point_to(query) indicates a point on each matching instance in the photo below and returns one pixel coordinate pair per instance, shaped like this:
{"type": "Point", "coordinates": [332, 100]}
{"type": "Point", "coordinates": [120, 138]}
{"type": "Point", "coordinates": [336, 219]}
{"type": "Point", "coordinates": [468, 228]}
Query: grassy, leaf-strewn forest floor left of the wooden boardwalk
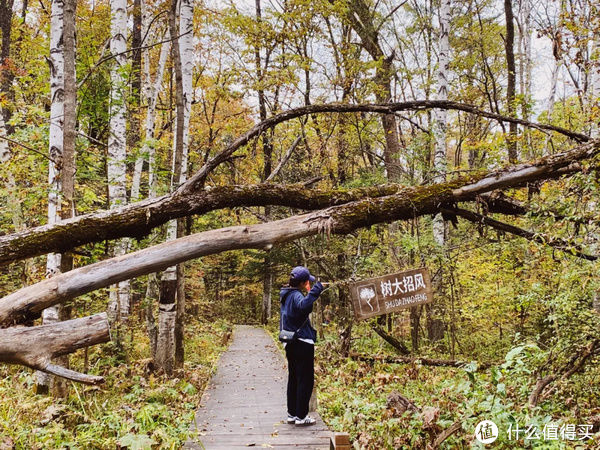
{"type": "Point", "coordinates": [133, 409]}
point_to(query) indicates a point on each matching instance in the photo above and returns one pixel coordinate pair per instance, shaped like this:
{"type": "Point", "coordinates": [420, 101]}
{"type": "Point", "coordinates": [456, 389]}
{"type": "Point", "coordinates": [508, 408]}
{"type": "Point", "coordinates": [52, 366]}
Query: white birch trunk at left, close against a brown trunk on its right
{"type": "Point", "coordinates": [57, 111]}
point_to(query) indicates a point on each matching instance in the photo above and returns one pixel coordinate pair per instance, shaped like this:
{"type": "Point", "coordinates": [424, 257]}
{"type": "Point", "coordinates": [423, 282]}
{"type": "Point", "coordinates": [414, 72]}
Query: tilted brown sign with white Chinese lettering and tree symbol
{"type": "Point", "coordinates": [390, 293]}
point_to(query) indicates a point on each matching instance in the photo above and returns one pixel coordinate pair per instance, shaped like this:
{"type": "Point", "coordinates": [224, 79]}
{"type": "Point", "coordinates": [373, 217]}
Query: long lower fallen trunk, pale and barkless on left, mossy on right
{"type": "Point", "coordinates": [407, 203]}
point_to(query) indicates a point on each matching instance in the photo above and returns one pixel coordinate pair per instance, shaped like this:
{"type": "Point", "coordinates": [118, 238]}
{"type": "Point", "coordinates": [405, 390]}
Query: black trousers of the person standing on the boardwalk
{"type": "Point", "coordinates": [301, 377]}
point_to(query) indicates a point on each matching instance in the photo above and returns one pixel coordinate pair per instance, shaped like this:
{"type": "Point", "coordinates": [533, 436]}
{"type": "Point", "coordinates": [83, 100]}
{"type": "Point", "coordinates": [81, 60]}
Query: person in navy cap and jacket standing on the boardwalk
{"type": "Point", "coordinates": [300, 353]}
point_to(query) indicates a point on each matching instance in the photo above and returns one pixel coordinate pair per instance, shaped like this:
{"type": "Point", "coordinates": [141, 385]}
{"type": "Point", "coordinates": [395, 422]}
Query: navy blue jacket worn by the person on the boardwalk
{"type": "Point", "coordinates": [295, 309]}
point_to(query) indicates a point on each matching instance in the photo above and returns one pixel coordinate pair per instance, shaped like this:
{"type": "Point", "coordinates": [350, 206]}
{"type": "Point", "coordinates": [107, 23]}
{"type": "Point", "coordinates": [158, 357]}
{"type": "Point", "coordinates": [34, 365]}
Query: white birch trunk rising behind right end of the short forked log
{"type": "Point", "coordinates": [119, 295]}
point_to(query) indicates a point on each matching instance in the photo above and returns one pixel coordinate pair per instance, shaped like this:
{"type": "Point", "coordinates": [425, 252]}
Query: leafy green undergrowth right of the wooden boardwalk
{"type": "Point", "coordinates": [358, 398]}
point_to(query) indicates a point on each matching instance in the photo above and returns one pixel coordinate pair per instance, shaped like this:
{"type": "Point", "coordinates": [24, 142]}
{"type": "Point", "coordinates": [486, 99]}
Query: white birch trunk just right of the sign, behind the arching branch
{"type": "Point", "coordinates": [439, 128]}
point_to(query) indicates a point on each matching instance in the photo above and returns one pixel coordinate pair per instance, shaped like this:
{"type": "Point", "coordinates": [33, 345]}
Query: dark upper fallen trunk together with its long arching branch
{"type": "Point", "coordinates": [138, 219]}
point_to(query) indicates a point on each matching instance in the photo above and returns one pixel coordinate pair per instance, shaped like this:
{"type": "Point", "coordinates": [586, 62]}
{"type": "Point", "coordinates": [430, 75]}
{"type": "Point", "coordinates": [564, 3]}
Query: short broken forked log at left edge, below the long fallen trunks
{"type": "Point", "coordinates": [36, 346]}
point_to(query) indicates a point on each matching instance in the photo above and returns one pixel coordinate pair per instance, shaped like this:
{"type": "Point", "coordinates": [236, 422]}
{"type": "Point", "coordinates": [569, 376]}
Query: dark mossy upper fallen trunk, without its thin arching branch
{"type": "Point", "coordinates": [138, 219]}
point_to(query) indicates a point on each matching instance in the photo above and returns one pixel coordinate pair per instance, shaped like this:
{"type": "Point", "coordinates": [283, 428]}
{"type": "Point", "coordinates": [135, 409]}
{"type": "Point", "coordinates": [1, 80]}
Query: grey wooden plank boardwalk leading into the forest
{"type": "Point", "coordinates": [244, 405]}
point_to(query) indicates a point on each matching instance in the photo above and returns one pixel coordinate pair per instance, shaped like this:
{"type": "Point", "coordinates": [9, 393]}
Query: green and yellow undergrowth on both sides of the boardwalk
{"type": "Point", "coordinates": [136, 409]}
